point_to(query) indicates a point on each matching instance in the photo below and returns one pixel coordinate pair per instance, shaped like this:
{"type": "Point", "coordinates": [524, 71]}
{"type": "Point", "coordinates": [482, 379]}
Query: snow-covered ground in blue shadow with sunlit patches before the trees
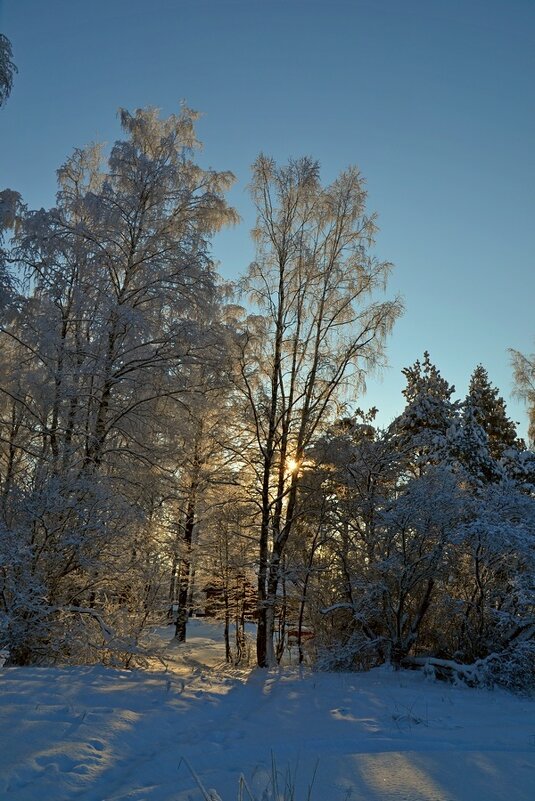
{"type": "Point", "coordinates": [96, 734]}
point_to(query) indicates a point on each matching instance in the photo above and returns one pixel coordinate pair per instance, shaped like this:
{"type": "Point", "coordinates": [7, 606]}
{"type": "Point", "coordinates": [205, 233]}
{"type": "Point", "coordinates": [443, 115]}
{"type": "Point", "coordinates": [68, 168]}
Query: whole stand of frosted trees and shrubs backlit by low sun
{"type": "Point", "coordinates": [167, 436]}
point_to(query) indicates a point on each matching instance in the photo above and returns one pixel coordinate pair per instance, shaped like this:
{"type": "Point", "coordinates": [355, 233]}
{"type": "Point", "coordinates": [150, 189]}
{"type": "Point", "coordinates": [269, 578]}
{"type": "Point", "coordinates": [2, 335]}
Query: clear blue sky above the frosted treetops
{"type": "Point", "coordinates": [432, 99]}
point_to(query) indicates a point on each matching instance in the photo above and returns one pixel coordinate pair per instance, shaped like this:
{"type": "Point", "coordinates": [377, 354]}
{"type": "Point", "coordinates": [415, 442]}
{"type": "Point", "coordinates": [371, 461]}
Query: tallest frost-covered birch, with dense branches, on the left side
{"type": "Point", "coordinates": [107, 334]}
